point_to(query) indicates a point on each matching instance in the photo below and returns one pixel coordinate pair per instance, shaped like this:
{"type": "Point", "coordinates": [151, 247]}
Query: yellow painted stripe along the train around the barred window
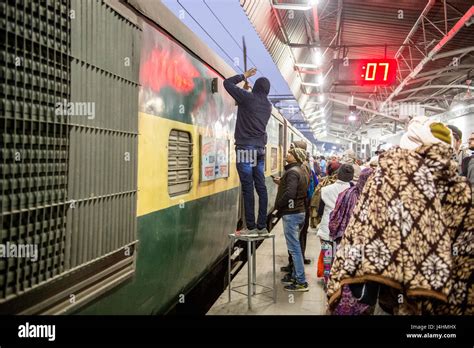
{"type": "Point", "coordinates": [153, 138]}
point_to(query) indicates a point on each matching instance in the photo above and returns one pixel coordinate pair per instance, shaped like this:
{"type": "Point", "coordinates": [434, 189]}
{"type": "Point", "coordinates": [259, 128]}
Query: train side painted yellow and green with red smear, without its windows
{"type": "Point", "coordinates": [180, 236]}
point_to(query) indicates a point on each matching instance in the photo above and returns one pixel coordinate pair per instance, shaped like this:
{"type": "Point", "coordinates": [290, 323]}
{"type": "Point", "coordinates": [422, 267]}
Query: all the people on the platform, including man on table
{"type": "Point", "coordinates": [396, 232]}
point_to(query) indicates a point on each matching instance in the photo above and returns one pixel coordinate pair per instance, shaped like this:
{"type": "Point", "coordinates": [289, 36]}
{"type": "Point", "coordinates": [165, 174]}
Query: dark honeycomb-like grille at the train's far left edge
{"type": "Point", "coordinates": [33, 143]}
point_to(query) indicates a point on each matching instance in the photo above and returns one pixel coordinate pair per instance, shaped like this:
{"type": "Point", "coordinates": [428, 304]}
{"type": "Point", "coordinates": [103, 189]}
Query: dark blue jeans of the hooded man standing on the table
{"type": "Point", "coordinates": [251, 166]}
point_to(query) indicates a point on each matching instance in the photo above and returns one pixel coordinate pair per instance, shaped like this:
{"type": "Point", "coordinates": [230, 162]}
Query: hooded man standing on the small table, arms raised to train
{"type": "Point", "coordinates": [253, 113]}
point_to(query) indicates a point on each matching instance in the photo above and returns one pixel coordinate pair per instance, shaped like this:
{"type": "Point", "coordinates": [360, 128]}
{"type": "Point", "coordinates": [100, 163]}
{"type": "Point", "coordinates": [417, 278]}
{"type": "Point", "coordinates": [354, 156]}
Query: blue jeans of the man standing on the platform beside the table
{"type": "Point", "coordinates": [292, 224]}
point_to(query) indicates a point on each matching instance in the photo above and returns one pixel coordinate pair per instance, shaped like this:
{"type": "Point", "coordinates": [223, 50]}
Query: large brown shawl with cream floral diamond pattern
{"type": "Point", "coordinates": [412, 230]}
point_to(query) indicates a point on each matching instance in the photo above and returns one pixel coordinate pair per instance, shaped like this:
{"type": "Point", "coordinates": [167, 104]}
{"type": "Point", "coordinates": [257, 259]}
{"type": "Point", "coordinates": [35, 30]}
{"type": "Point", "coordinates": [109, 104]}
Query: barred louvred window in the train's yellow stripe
{"type": "Point", "coordinates": [180, 162]}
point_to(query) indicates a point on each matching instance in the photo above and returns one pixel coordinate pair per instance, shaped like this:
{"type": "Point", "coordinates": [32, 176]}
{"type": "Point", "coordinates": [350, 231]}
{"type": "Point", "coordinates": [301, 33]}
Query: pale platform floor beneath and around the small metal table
{"type": "Point", "coordinates": [312, 302]}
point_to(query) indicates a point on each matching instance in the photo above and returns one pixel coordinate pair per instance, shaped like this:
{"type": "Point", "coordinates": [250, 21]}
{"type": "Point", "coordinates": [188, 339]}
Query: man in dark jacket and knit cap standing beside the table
{"type": "Point", "coordinates": [291, 205]}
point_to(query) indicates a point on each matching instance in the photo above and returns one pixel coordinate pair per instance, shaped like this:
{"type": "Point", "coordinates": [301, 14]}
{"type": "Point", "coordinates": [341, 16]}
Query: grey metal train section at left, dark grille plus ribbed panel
{"type": "Point", "coordinates": [40, 150]}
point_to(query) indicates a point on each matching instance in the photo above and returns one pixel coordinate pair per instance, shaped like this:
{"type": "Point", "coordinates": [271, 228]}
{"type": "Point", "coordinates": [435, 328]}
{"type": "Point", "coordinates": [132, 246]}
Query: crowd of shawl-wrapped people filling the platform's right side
{"type": "Point", "coordinates": [399, 238]}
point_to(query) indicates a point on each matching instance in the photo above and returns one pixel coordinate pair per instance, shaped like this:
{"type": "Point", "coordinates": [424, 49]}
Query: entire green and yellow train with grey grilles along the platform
{"type": "Point", "coordinates": [151, 190]}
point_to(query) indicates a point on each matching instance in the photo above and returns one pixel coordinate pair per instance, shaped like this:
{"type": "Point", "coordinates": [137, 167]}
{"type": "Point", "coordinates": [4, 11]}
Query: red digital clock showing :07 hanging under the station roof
{"type": "Point", "coordinates": [365, 72]}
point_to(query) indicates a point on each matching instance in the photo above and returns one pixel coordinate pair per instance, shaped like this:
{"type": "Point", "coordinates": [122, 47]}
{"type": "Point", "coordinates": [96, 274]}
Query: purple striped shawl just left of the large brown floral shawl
{"type": "Point", "coordinates": [345, 203]}
